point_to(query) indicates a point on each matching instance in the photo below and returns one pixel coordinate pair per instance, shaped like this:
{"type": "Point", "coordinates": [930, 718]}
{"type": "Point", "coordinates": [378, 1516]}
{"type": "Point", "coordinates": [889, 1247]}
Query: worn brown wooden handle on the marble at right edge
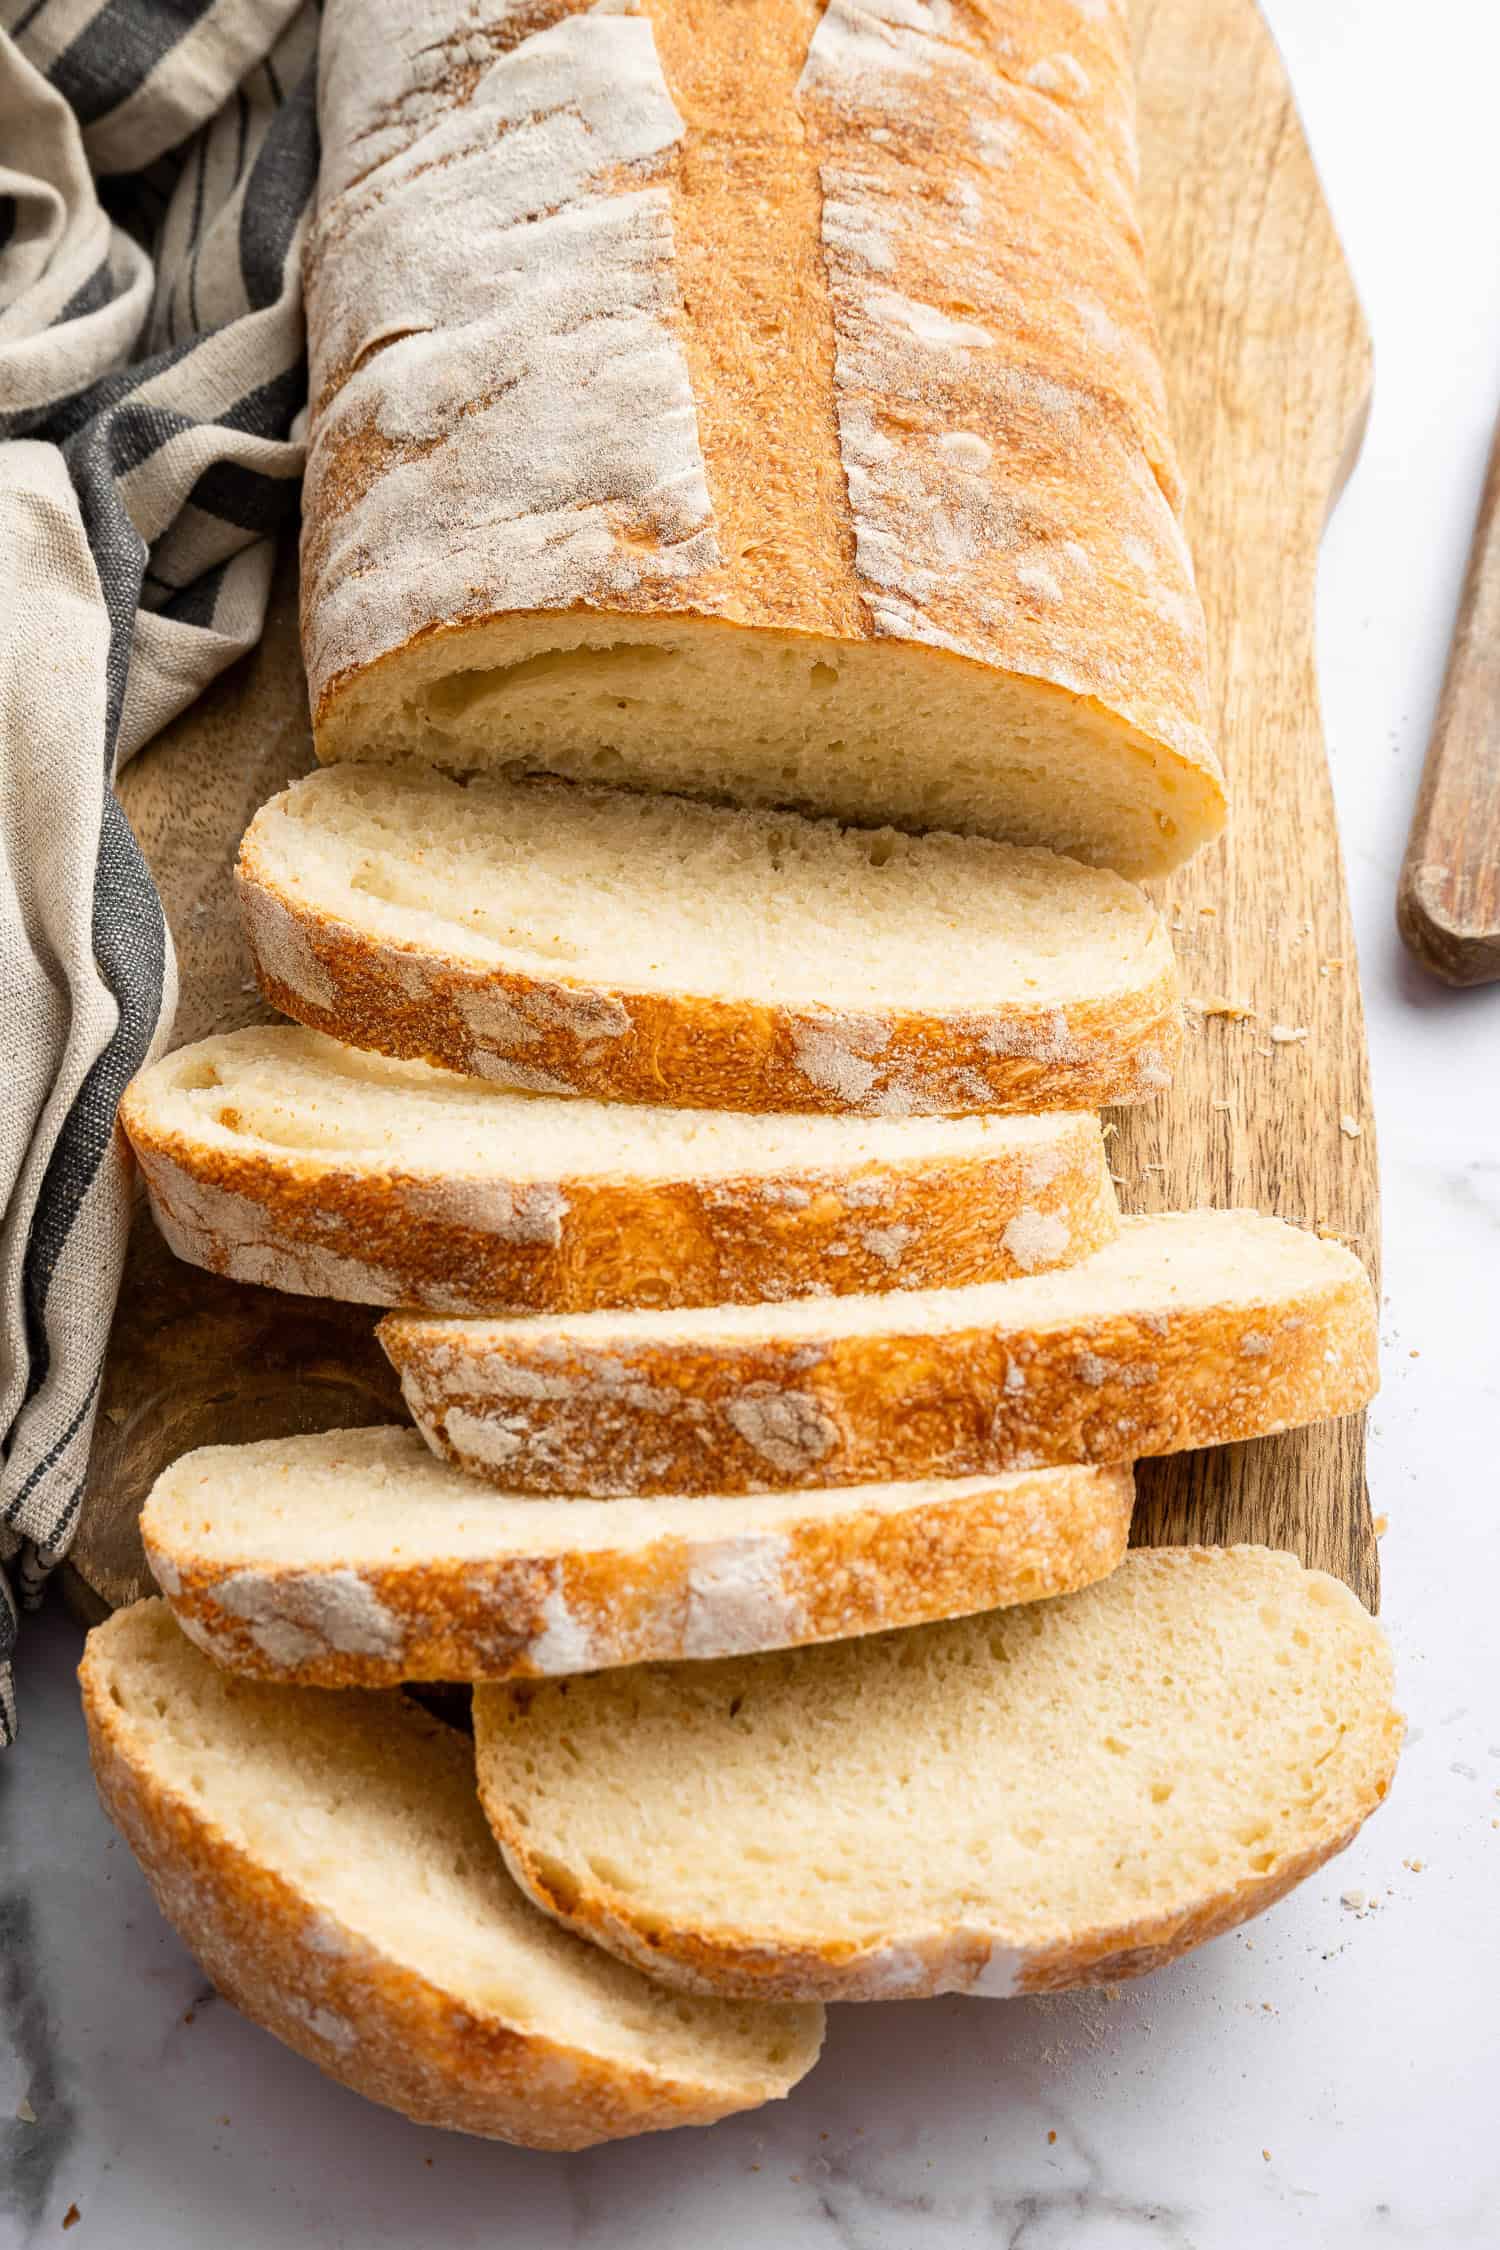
{"type": "Point", "coordinates": [1449, 894]}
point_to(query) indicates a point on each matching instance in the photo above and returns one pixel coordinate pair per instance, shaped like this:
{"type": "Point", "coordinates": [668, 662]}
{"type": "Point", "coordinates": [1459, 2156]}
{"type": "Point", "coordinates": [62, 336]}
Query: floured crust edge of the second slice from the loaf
{"type": "Point", "coordinates": [302, 1223]}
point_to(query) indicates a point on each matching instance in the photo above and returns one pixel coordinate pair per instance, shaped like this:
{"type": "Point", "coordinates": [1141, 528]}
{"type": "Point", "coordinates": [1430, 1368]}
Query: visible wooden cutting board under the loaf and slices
{"type": "Point", "coordinates": [1269, 370]}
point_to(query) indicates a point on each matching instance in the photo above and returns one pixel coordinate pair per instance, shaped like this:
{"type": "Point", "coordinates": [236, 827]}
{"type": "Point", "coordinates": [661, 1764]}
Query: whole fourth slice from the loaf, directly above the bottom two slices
{"type": "Point", "coordinates": [354, 1558]}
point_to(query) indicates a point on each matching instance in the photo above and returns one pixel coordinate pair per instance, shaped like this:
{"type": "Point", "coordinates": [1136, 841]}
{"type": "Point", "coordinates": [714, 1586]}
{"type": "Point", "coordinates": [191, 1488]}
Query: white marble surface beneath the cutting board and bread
{"type": "Point", "coordinates": [1330, 2078]}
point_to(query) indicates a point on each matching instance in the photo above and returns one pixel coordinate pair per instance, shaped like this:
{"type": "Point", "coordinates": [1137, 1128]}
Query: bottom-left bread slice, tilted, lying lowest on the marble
{"type": "Point", "coordinates": [327, 1862]}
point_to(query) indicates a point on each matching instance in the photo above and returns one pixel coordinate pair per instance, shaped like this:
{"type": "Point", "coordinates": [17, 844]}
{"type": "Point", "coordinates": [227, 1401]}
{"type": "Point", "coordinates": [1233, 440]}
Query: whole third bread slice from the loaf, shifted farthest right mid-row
{"type": "Point", "coordinates": [1191, 1329]}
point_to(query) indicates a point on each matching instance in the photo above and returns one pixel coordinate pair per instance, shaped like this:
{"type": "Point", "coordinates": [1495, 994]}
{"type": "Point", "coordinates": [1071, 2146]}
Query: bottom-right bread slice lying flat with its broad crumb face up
{"type": "Point", "coordinates": [1047, 1797]}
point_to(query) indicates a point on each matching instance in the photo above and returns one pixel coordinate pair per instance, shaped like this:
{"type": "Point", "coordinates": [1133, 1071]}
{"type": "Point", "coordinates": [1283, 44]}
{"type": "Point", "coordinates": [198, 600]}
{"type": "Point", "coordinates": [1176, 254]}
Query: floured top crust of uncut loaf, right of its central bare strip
{"type": "Point", "coordinates": [1000, 395]}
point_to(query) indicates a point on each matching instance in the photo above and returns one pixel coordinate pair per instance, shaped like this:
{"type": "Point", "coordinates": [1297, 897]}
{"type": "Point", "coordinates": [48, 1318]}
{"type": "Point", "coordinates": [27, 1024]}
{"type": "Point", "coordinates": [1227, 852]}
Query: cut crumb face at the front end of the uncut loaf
{"type": "Point", "coordinates": [869, 732]}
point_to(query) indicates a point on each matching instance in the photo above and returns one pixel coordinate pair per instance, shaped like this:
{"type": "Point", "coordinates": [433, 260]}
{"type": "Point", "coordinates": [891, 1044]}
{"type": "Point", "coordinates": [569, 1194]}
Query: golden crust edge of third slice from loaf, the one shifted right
{"type": "Point", "coordinates": [759, 1414]}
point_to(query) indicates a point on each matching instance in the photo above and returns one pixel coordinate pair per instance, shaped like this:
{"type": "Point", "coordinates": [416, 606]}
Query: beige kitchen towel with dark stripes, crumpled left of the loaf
{"type": "Point", "coordinates": [156, 170]}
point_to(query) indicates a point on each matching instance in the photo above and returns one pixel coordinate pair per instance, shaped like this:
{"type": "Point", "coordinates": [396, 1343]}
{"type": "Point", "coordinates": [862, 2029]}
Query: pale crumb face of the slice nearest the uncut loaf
{"type": "Point", "coordinates": [658, 894]}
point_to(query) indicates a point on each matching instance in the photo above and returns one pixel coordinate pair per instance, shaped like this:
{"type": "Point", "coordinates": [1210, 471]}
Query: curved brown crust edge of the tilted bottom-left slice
{"type": "Point", "coordinates": [365, 2019]}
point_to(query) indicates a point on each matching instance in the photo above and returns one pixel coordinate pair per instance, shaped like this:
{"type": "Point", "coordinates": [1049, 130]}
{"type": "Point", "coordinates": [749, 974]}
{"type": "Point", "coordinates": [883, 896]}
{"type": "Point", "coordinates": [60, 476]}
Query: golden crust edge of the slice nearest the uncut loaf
{"type": "Point", "coordinates": [694, 1052]}
